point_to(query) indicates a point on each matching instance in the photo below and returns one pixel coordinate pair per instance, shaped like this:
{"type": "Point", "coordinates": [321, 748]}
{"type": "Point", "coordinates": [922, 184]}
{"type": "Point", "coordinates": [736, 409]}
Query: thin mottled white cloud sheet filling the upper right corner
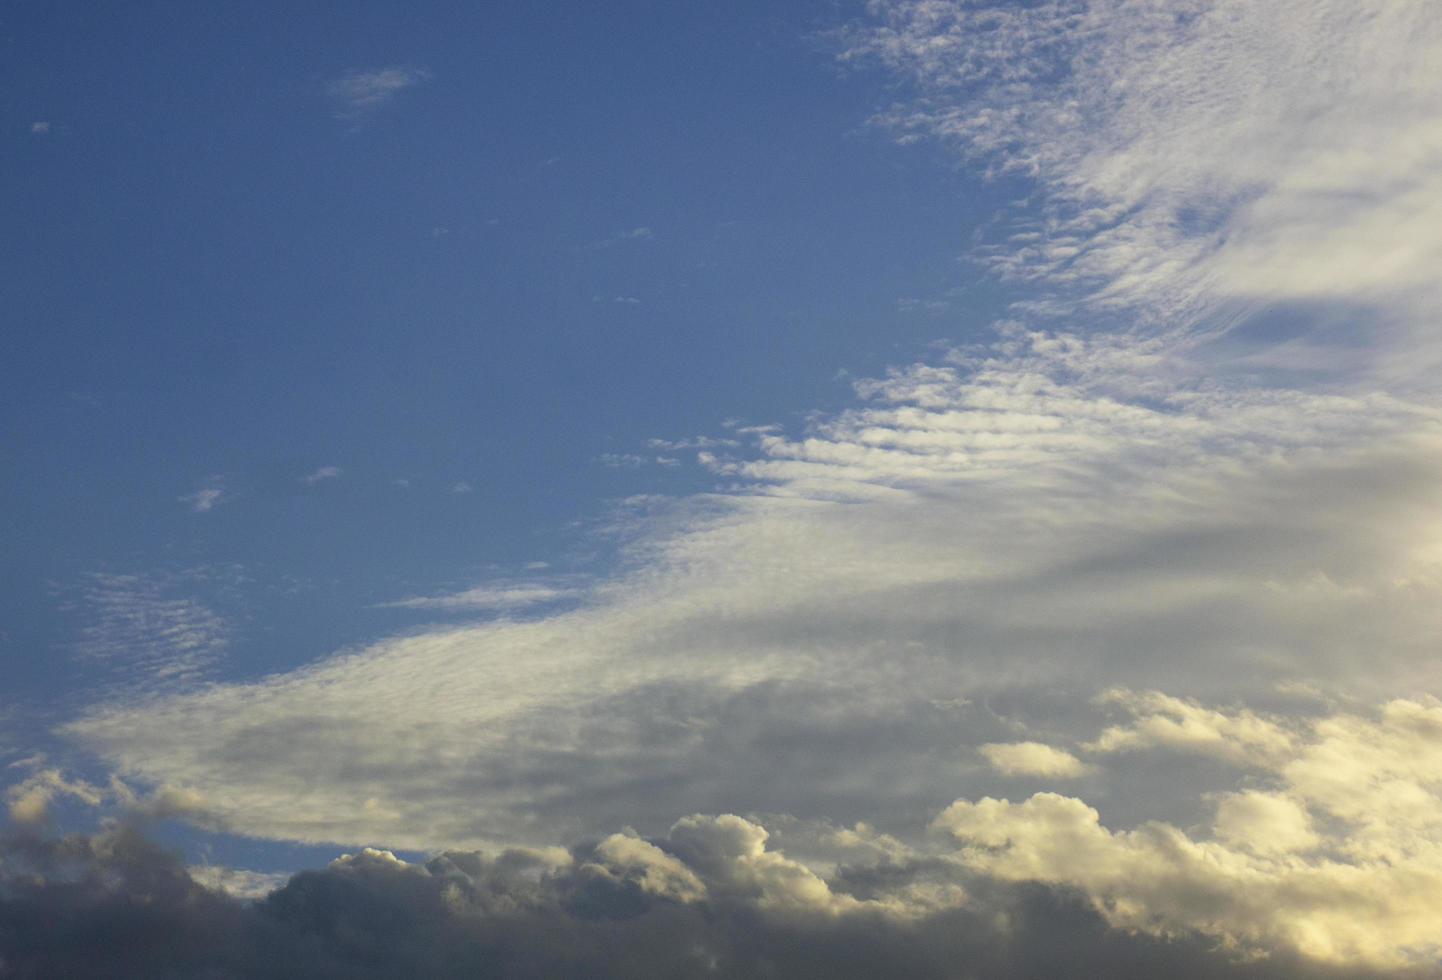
{"type": "Point", "coordinates": [1196, 156]}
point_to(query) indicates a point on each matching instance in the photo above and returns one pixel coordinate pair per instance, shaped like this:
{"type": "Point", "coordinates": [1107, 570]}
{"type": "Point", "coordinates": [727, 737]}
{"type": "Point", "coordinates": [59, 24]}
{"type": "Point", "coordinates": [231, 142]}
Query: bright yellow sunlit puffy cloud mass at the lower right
{"type": "Point", "coordinates": [1337, 858]}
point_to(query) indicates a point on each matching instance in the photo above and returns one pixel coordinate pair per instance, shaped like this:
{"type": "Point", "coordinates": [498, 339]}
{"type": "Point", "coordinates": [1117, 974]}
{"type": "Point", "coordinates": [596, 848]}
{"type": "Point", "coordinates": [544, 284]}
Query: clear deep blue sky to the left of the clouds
{"type": "Point", "coordinates": [539, 253]}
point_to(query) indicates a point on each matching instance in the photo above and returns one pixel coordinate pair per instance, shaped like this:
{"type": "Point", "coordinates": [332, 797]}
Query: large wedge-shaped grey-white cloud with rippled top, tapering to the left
{"type": "Point", "coordinates": [996, 527]}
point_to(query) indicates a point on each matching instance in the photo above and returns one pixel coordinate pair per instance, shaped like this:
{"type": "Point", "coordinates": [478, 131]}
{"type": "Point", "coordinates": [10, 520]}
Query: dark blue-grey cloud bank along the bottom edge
{"type": "Point", "coordinates": [118, 906]}
